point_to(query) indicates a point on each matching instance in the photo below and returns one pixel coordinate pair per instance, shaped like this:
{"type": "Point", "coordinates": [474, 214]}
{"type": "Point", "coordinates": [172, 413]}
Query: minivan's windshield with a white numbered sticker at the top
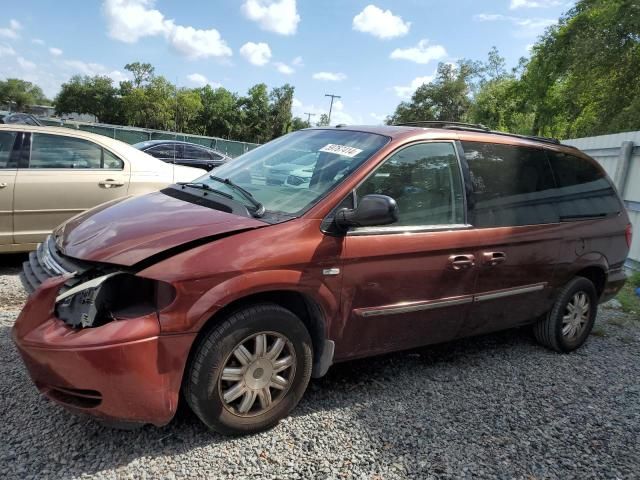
{"type": "Point", "coordinates": [292, 173]}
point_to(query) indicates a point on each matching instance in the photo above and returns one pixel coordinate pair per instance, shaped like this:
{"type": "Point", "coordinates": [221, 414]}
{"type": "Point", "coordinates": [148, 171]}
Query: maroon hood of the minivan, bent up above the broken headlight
{"type": "Point", "coordinates": [129, 230]}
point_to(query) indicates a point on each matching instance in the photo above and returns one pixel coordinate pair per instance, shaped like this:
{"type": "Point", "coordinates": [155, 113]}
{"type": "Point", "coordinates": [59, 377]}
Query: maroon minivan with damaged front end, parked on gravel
{"type": "Point", "coordinates": [234, 291]}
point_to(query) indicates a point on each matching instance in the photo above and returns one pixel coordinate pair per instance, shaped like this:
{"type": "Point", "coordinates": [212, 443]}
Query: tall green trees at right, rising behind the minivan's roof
{"type": "Point", "coordinates": [583, 79]}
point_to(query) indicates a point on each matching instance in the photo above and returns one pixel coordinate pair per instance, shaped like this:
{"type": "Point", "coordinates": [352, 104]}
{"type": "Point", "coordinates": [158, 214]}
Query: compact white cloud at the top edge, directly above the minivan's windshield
{"type": "Point", "coordinates": [279, 16]}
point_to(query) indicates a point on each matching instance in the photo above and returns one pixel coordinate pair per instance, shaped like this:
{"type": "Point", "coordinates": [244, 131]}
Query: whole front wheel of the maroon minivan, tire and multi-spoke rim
{"type": "Point", "coordinates": [250, 371]}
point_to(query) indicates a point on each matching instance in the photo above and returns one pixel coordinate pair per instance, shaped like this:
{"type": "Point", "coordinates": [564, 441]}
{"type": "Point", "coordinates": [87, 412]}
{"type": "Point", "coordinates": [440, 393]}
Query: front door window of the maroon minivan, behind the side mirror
{"type": "Point", "coordinates": [425, 181]}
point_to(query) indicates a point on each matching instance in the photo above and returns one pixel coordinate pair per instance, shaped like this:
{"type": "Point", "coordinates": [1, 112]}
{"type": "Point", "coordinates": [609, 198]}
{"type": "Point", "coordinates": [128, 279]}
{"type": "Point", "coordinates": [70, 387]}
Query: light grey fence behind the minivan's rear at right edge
{"type": "Point", "coordinates": [619, 155]}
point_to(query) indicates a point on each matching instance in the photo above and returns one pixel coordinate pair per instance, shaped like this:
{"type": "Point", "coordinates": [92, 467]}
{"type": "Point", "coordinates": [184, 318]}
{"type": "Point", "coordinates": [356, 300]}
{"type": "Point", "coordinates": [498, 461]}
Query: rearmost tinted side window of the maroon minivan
{"type": "Point", "coordinates": [583, 189]}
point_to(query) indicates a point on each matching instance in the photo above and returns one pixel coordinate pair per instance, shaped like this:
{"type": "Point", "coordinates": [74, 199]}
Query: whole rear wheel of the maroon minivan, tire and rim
{"type": "Point", "coordinates": [568, 324]}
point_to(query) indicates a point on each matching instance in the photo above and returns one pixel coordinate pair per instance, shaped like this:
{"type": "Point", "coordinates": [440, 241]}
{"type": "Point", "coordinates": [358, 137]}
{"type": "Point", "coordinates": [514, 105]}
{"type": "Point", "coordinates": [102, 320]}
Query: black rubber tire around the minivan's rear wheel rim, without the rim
{"type": "Point", "coordinates": [549, 330]}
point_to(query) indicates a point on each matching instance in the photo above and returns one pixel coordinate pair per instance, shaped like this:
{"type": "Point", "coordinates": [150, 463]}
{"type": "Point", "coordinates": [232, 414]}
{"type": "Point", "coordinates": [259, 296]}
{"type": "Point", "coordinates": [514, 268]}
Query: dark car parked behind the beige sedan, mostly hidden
{"type": "Point", "coordinates": [184, 153]}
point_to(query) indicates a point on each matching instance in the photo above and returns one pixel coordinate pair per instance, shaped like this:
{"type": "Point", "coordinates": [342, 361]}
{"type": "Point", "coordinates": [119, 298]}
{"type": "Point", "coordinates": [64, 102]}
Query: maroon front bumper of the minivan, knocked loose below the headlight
{"type": "Point", "coordinates": [121, 371]}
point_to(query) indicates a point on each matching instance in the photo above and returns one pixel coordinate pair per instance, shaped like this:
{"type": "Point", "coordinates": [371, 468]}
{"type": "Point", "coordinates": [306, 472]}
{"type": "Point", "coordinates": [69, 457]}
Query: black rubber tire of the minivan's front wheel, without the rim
{"type": "Point", "coordinates": [204, 387]}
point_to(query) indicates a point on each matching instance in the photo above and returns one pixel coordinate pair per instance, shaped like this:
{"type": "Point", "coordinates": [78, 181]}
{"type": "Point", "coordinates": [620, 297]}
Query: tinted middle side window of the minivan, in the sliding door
{"type": "Point", "coordinates": [511, 185]}
